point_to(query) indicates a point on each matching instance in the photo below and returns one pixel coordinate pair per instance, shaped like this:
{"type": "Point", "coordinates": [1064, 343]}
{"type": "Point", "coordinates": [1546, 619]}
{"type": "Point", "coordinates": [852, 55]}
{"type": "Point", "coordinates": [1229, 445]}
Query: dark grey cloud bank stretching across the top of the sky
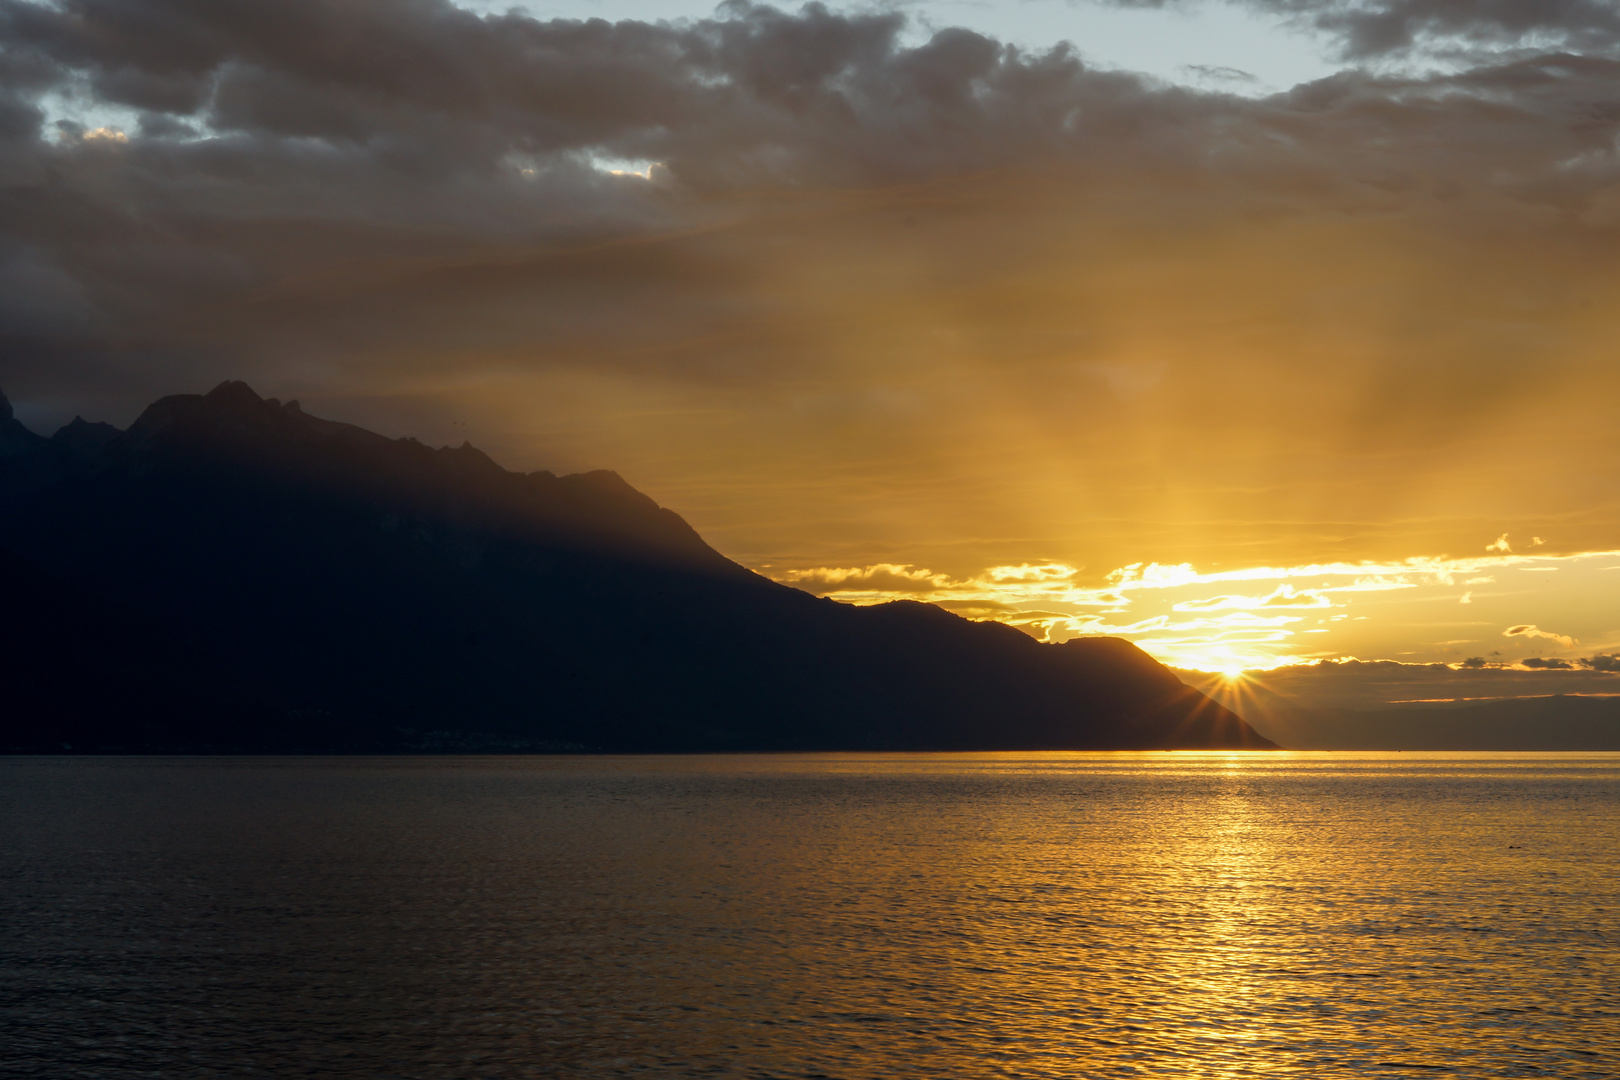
{"type": "Point", "coordinates": [419, 127]}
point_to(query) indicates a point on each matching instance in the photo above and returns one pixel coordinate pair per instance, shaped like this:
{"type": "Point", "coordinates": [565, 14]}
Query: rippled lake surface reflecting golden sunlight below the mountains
{"type": "Point", "coordinates": [855, 917]}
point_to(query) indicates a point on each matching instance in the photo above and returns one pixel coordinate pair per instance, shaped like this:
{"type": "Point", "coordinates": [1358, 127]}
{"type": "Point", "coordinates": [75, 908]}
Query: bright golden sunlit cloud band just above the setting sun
{"type": "Point", "coordinates": [1169, 610]}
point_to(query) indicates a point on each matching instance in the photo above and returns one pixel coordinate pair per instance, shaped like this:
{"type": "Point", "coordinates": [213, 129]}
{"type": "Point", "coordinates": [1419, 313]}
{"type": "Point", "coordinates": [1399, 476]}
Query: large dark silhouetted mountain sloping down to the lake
{"type": "Point", "coordinates": [232, 574]}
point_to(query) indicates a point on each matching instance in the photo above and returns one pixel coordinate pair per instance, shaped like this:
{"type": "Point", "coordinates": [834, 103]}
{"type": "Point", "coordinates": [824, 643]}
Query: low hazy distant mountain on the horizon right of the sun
{"type": "Point", "coordinates": [1550, 723]}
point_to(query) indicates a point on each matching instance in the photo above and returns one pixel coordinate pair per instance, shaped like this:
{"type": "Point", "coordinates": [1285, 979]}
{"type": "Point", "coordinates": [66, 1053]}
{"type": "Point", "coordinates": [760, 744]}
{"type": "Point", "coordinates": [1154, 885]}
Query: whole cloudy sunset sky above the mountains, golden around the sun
{"type": "Point", "coordinates": [1269, 334]}
